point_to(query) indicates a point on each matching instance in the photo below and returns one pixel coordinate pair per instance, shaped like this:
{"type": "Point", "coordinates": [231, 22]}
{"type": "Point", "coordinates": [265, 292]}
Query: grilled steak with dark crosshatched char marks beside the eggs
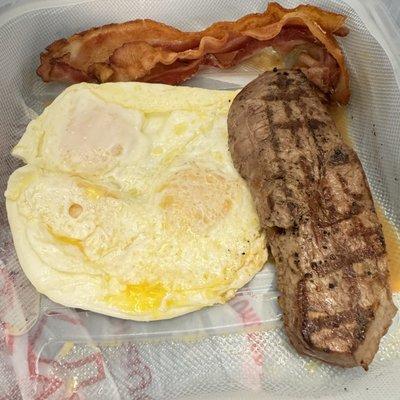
{"type": "Point", "coordinates": [313, 199]}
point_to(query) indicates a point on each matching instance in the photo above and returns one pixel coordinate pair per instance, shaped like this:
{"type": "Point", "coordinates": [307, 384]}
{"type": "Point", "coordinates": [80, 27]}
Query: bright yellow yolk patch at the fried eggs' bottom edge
{"type": "Point", "coordinates": [143, 297]}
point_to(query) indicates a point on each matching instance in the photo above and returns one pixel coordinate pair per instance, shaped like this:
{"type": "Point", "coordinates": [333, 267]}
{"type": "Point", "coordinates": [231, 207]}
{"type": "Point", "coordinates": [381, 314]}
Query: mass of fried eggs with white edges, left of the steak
{"type": "Point", "coordinates": [129, 204]}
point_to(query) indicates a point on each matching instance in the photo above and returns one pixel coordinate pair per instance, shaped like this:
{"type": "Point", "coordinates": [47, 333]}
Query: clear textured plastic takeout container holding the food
{"type": "Point", "coordinates": [237, 350]}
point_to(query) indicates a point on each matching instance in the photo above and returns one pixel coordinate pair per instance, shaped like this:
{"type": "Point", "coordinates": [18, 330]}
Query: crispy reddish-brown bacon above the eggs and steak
{"type": "Point", "coordinates": [146, 50]}
